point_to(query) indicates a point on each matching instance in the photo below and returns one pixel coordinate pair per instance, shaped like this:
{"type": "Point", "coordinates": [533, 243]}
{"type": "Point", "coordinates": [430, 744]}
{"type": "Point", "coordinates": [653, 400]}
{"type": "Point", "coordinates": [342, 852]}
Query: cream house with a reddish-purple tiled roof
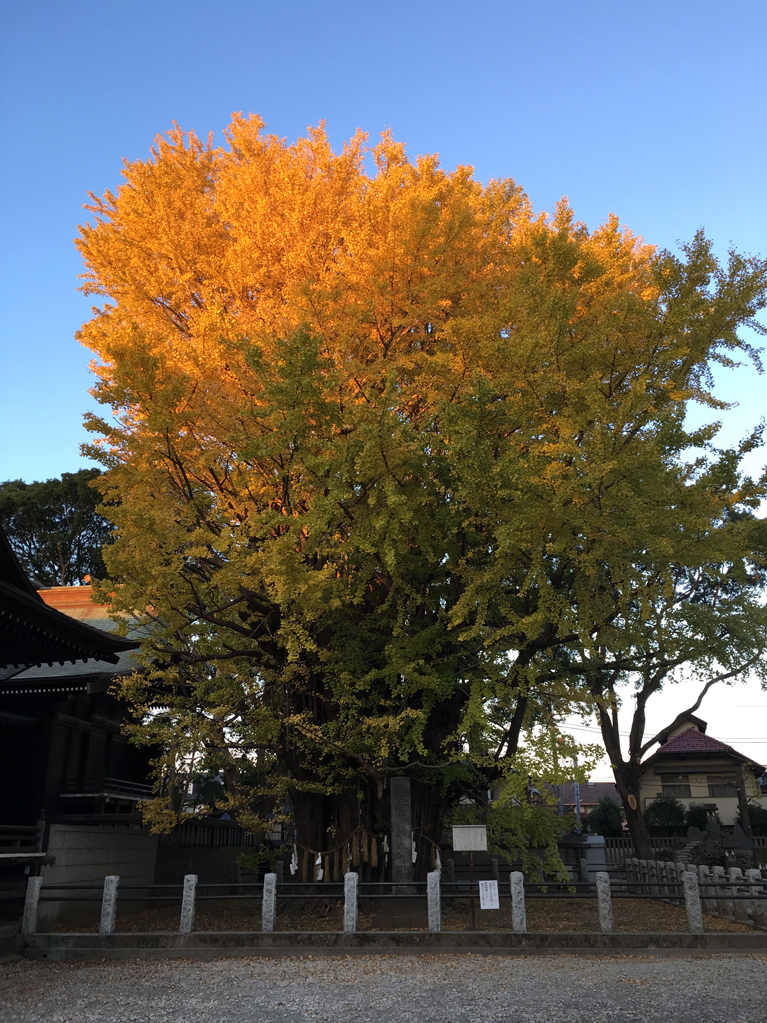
{"type": "Point", "coordinates": [694, 768]}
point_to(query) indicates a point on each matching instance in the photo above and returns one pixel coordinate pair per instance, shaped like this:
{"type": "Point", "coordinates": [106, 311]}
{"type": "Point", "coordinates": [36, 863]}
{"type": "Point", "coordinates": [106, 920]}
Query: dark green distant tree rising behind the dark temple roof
{"type": "Point", "coordinates": [55, 529]}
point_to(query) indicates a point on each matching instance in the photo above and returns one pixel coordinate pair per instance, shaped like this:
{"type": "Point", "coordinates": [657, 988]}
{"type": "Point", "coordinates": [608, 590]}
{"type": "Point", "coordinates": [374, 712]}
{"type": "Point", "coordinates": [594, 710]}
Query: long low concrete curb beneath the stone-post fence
{"type": "Point", "coordinates": [217, 945]}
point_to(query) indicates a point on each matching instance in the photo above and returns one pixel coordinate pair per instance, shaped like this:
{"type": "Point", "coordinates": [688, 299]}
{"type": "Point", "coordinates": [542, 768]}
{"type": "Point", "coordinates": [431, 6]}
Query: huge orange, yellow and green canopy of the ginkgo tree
{"type": "Point", "coordinates": [390, 458]}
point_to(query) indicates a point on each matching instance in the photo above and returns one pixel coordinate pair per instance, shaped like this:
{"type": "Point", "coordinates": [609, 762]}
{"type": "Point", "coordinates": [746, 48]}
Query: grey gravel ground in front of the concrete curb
{"type": "Point", "coordinates": [724, 989]}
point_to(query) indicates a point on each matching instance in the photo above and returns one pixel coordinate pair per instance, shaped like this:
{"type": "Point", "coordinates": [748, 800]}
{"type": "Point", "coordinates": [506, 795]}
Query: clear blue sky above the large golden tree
{"type": "Point", "coordinates": [655, 111]}
